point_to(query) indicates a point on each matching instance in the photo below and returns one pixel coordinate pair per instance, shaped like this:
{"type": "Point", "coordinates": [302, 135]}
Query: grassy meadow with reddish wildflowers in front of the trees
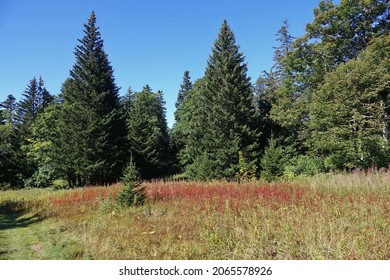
{"type": "Point", "coordinates": [329, 216]}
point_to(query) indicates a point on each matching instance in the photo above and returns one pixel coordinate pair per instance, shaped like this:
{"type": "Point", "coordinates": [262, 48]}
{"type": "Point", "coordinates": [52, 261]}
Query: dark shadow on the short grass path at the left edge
{"type": "Point", "coordinates": [11, 216]}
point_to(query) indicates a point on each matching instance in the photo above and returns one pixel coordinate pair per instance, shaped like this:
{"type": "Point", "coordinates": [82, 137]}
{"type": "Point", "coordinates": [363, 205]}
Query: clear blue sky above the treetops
{"type": "Point", "coordinates": [147, 41]}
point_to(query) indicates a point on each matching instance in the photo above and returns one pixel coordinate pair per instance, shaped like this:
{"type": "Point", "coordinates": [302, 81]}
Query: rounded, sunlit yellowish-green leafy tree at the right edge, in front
{"type": "Point", "coordinates": [350, 110]}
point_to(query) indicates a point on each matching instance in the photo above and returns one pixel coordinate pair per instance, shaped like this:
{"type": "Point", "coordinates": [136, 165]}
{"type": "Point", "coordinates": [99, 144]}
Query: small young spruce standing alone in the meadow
{"type": "Point", "coordinates": [132, 194]}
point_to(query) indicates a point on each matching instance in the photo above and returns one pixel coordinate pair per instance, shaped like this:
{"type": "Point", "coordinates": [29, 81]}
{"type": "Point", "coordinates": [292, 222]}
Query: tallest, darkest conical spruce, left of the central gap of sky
{"type": "Point", "coordinates": [92, 127]}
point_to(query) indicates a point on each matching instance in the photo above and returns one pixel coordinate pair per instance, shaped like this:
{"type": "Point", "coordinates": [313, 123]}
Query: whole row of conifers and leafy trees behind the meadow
{"type": "Point", "coordinates": [324, 105]}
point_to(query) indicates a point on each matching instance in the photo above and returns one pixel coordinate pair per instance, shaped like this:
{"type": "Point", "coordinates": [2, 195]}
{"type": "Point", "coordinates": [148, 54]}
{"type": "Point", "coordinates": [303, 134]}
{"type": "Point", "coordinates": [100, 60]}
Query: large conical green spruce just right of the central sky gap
{"type": "Point", "coordinates": [225, 121]}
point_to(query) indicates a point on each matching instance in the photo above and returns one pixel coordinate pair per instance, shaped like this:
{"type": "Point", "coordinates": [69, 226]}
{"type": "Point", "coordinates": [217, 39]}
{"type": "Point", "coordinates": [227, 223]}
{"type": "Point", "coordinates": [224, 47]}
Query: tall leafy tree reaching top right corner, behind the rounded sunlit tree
{"type": "Point", "coordinates": [337, 34]}
